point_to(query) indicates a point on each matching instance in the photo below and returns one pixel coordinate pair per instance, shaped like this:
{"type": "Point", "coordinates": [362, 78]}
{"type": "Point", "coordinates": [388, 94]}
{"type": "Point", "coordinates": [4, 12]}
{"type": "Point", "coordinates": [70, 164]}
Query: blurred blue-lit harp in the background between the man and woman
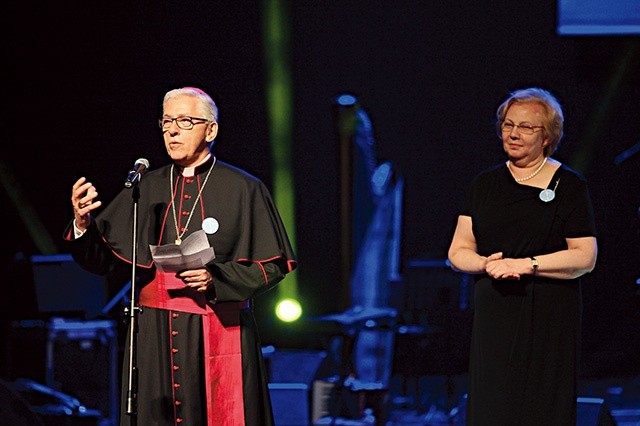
{"type": "Point", "coordinates": [371, 194]}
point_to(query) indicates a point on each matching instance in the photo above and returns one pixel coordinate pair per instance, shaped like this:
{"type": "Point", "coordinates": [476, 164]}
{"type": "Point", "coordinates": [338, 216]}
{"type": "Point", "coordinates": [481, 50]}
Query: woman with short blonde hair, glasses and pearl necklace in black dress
{"type": "Point", "coordinates": [527, 233]}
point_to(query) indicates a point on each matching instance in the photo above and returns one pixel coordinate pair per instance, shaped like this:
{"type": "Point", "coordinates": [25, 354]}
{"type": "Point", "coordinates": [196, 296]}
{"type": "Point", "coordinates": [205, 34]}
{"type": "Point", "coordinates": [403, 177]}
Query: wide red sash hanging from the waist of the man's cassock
{"type": "Point", "coordinates": [222, 348]}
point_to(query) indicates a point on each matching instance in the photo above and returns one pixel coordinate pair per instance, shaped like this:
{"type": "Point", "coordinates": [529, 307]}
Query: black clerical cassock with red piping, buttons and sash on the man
{"type": "Point", "coordinates": [252, 253]}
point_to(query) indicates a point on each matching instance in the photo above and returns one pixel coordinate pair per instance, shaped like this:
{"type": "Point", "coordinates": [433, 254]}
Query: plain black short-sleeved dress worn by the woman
{"type": "Point", "coordinates": [526, 333]}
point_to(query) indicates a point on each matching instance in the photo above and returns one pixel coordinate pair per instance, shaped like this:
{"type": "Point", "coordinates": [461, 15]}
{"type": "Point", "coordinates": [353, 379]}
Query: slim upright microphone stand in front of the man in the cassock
{"type": "Point", "coordinates": [132, 390]}
